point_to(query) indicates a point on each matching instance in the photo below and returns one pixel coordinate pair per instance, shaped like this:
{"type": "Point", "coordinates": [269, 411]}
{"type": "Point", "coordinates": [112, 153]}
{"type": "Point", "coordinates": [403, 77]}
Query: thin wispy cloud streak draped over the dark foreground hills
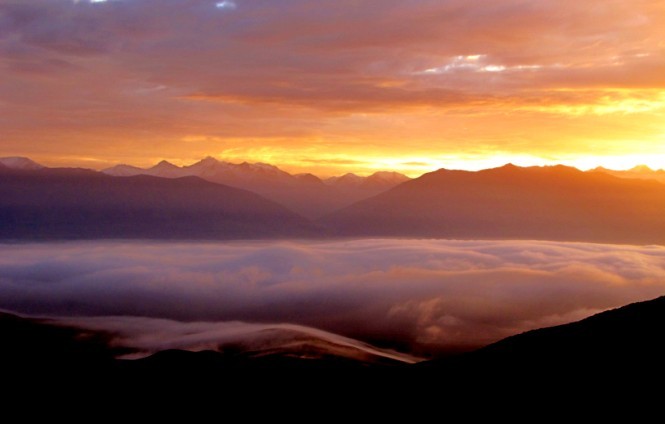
{"type": "Point", "coordinates": [150, 335]}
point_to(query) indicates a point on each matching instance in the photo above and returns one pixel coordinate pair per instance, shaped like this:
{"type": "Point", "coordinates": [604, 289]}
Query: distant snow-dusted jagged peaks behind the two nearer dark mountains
{"type": "Point", "coordinates": [305, 194]}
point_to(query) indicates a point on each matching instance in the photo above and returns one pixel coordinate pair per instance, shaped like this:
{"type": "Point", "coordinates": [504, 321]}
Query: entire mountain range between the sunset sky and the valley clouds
{"type": "Point", "coordinates": [510, 202]}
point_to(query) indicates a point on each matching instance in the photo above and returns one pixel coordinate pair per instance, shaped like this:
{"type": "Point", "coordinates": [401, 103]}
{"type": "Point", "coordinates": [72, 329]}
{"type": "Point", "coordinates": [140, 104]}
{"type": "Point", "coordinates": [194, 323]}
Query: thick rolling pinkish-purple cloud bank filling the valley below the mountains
{"type": "Point", "coordinates": [420, 296]}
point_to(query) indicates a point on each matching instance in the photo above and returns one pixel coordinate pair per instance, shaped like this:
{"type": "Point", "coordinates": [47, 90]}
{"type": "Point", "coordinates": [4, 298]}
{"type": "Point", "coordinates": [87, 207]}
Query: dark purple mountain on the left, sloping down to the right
{"type": "Point", "coordinates": [82, 204]}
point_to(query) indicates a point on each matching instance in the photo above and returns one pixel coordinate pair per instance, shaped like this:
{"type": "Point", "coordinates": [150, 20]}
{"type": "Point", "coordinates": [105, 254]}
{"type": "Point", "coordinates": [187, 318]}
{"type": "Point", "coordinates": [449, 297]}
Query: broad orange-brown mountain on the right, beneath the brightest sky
{"type": "Point", "coordinates": [551, 203]}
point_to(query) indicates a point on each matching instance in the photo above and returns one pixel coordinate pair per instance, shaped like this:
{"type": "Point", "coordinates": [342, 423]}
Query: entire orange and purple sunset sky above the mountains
{"type": "Point", "coordinates": [334, 86]}
